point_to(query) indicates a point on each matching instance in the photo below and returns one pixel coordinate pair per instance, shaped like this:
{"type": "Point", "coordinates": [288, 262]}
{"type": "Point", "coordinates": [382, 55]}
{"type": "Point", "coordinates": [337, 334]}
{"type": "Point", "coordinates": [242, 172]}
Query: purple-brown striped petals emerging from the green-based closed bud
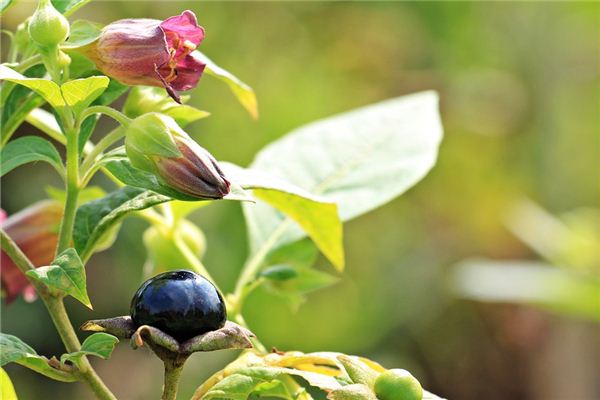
{"type": "Point", "coordinates": [195, 173]}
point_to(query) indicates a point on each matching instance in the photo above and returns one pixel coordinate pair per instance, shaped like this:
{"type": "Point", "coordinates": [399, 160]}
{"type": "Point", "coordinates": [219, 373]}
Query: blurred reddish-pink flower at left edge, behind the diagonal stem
{"type": "Point", "coordinates": [35, 231]}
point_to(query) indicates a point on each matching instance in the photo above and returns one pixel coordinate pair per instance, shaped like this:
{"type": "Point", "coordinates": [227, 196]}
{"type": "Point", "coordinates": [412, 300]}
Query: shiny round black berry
{"type": "Point", "coordinates": [180, 303]}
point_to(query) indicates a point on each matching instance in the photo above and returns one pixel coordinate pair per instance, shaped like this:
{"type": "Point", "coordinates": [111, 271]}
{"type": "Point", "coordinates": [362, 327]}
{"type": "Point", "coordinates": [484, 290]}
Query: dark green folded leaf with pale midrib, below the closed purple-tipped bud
{"type": "Point", "coordinates": [95, 218]}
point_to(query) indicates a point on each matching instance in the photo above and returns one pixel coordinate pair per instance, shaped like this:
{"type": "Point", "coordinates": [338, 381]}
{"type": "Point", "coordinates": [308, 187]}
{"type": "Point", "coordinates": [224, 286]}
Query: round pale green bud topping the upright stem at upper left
{"type": "Point", "coordinates": [47, 26]}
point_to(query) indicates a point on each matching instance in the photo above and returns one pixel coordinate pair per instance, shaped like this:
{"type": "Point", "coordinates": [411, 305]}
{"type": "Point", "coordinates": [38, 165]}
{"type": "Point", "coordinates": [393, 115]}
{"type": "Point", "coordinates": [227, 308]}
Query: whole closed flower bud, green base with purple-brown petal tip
{"type": "Point", "coordinates": [155, 143]}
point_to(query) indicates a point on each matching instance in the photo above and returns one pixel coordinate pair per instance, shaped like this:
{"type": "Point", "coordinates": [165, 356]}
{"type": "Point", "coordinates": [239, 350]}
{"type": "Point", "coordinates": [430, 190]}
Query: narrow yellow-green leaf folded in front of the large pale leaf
{"type": "Point", "coordinates": [316, 216]}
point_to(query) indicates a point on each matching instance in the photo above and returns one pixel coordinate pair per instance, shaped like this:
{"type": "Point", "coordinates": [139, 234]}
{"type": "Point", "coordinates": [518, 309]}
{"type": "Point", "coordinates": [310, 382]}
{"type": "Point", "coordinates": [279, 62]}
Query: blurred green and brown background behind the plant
{"type": "Point", "coordinates": [520, 100]}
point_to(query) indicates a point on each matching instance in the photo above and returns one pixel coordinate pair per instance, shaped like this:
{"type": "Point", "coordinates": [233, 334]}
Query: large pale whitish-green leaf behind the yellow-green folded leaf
{"type": "Point", "coordinates": [360, 160]}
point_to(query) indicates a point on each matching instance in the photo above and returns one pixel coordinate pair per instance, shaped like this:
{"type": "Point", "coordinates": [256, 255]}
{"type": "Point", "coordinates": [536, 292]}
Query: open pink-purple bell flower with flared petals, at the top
{"type": "Point", "coordinates": [151, 52]}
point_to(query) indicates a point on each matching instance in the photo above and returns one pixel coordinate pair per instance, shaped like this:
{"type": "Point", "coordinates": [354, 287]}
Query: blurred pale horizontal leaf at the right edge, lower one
{"type": "Point", "coordinates": [529, 283]}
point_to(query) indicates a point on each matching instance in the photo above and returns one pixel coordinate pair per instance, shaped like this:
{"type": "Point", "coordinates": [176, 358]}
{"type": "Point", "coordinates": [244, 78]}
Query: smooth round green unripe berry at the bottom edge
{"type": "Point", "coordinates": [397, 384]}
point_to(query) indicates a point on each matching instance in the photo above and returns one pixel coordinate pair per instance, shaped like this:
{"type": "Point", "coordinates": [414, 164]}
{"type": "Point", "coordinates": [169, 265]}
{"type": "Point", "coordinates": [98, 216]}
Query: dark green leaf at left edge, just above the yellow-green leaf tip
{"type": "Point", "coordinates": [13, 349]}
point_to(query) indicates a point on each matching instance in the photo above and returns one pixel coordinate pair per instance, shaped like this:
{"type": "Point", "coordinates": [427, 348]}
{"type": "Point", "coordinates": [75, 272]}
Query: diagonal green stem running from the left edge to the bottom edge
{"type": "Point", "coordinates": [56, 309]}
